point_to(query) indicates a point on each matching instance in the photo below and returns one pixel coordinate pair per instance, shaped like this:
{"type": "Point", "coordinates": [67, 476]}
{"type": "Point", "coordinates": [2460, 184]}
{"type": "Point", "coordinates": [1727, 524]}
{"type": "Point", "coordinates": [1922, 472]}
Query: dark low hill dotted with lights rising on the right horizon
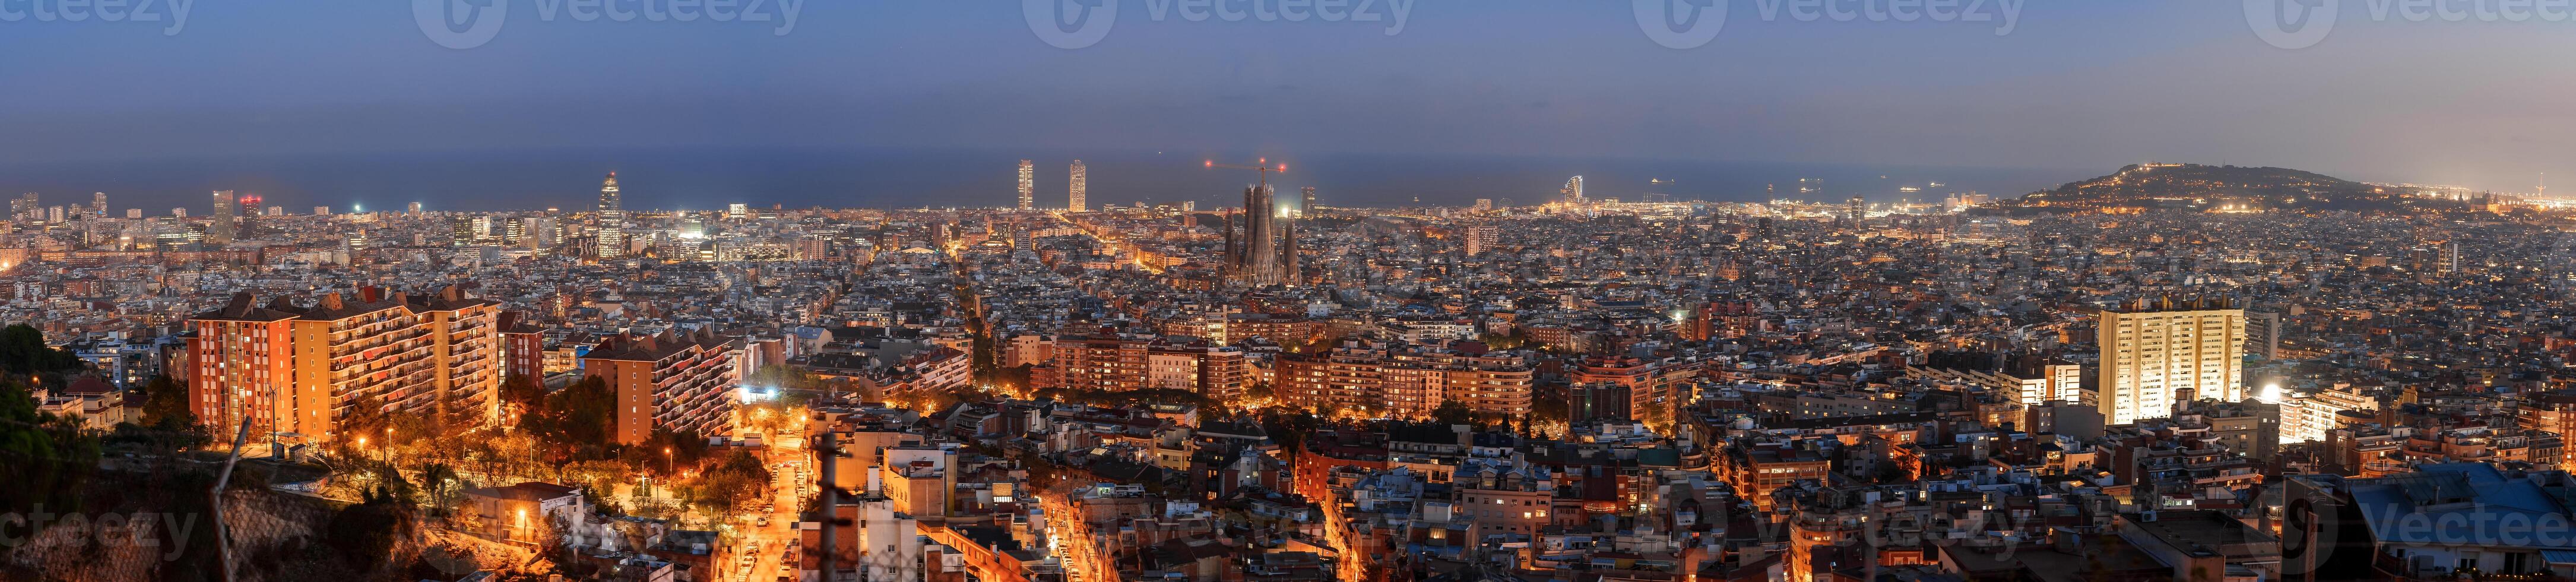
{"type": "Point", "coordinates": [2209, 189]}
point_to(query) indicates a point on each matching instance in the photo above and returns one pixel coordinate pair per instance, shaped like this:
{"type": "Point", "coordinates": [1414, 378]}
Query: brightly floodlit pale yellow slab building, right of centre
{"type": "Point", "coordinates": [2163, 352]}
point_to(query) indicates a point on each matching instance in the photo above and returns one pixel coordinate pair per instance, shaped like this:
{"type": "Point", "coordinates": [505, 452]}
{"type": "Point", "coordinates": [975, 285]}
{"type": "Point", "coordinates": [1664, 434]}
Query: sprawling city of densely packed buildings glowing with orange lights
{"type": "Point", "coordinates": [1009, 388]}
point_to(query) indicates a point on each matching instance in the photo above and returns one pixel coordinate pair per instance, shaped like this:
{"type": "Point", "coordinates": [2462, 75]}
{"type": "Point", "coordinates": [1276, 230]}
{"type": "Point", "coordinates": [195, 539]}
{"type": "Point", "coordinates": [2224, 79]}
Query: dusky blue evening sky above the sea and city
{"type": "Point", "coordinates": [2075, 89]}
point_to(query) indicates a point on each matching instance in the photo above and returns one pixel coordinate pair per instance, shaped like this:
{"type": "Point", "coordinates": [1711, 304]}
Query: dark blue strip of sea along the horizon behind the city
{"type": "Point", "coordinates": [913, 179]}
